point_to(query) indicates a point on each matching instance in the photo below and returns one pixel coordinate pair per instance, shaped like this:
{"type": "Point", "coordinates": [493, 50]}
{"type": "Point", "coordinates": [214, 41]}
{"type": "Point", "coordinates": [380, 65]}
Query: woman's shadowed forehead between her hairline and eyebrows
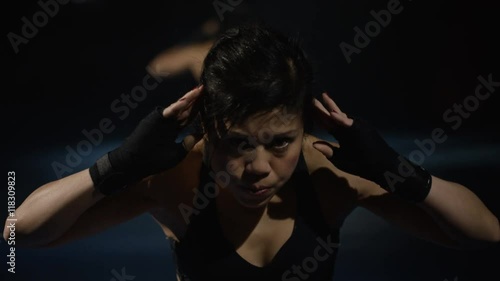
{"type": "Point", "coordinates": [277, 121]}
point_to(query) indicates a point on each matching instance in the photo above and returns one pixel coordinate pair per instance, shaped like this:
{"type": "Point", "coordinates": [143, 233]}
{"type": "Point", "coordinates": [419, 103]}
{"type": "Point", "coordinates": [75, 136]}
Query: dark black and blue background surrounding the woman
{"type": "Point", "coordinates": [426, 60]}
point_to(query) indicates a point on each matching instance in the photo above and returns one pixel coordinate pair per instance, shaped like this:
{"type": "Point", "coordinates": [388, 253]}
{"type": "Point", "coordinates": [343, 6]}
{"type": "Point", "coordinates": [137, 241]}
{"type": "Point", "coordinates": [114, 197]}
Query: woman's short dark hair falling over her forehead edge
{"type": "Point", "coordinates": [253, 69]}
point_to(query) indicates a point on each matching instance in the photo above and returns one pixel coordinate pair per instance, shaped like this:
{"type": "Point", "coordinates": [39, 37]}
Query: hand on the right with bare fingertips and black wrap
{"type": "Point", "coordinates": [365, 153]}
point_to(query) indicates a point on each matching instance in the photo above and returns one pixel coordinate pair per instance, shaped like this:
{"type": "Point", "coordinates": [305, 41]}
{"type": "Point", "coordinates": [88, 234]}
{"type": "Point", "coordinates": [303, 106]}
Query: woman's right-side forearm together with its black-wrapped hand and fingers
{"type": "Point", "coordinates": [363, 152]}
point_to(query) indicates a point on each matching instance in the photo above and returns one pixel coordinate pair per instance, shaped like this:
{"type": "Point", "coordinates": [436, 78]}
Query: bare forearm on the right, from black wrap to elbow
{"type": "Point", "coordinates": [461, 214]}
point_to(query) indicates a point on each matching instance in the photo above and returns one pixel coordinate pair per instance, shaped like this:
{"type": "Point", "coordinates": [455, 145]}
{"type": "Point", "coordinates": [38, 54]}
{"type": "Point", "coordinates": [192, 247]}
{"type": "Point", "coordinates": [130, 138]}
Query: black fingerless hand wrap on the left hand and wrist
{"type": "Point", "coordinates": [151, 148]}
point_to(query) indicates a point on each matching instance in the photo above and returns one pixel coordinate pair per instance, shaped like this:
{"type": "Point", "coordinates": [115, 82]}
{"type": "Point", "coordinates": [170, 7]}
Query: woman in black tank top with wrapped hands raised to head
{"type": "Point", "coordinates": [252, 195]}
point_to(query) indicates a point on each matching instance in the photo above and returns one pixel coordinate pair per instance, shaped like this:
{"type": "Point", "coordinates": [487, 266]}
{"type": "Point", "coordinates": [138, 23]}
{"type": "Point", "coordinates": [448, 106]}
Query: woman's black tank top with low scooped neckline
{"type": "Point", "coordinates": [309, 254]}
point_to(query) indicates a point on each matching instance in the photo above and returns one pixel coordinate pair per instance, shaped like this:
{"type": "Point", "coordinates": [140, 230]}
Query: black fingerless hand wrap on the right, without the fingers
{"type": "Point", "coordinates": [364, 152]}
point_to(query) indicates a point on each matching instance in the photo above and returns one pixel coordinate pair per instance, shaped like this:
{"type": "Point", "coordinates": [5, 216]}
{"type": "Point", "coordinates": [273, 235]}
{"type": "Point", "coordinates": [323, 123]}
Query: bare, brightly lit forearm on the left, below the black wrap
{"type": "Point", "coordinates": [51, 209]}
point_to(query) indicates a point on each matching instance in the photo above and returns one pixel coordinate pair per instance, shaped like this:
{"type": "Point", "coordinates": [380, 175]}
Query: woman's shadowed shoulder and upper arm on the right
{"type": "Point", "coordinates": [340, 192]}
